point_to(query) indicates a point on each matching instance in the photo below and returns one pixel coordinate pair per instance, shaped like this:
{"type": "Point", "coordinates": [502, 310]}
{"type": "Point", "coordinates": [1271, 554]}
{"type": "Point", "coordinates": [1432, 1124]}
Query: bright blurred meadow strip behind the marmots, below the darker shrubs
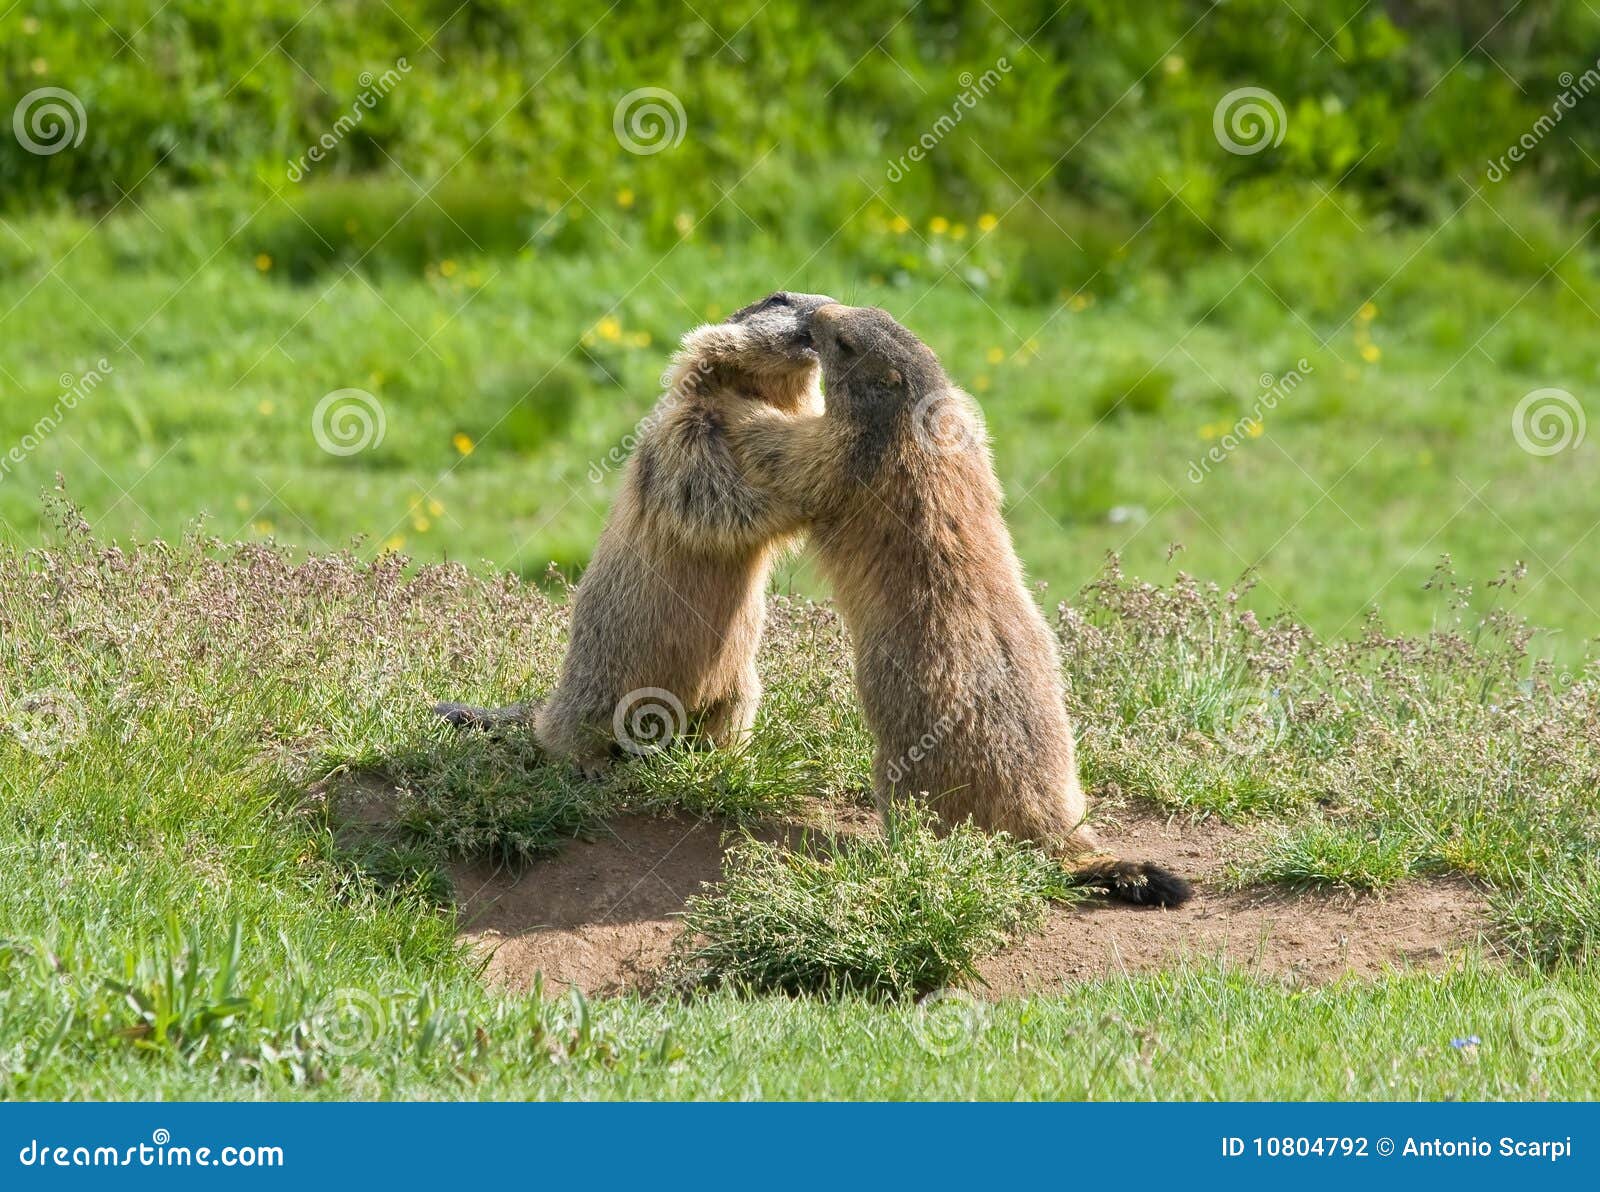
{"type": "Point", "coordinates": [542, 364]}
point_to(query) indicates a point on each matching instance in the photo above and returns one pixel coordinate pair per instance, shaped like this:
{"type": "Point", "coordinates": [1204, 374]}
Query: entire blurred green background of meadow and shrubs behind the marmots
{"type": "Point", "coordinates": [484, 254]}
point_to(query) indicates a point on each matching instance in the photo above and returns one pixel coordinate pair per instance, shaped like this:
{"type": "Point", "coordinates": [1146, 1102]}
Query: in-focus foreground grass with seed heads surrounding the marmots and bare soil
{"type": "Point", "coordinates": [183, 914]}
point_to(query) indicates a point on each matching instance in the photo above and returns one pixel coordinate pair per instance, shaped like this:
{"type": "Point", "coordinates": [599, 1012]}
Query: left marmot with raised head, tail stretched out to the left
{"type": "Point", "coordinates": [670, 614]}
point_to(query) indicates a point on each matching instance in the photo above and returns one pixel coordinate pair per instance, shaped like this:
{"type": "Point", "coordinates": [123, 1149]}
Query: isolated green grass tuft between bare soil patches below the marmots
{"type": "Point", "coordinates": [886, 916]}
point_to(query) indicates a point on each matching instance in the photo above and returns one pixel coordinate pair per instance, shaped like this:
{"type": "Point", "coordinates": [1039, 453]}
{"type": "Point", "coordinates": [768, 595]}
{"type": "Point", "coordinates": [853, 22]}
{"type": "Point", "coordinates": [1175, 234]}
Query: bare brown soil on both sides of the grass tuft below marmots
{"type": "Point", "coordinates": [604, 914]}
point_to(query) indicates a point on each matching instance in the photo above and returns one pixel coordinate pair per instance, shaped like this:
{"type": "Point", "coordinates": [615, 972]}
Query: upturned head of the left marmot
{"type": "Point", "coordinates": [766, 350]}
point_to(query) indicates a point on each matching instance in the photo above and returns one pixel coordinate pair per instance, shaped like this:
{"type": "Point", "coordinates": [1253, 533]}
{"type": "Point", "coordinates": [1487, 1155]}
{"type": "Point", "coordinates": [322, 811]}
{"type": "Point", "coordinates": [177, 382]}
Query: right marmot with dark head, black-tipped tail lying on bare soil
{"type": "Point", "coordinates": [956, 666]}
